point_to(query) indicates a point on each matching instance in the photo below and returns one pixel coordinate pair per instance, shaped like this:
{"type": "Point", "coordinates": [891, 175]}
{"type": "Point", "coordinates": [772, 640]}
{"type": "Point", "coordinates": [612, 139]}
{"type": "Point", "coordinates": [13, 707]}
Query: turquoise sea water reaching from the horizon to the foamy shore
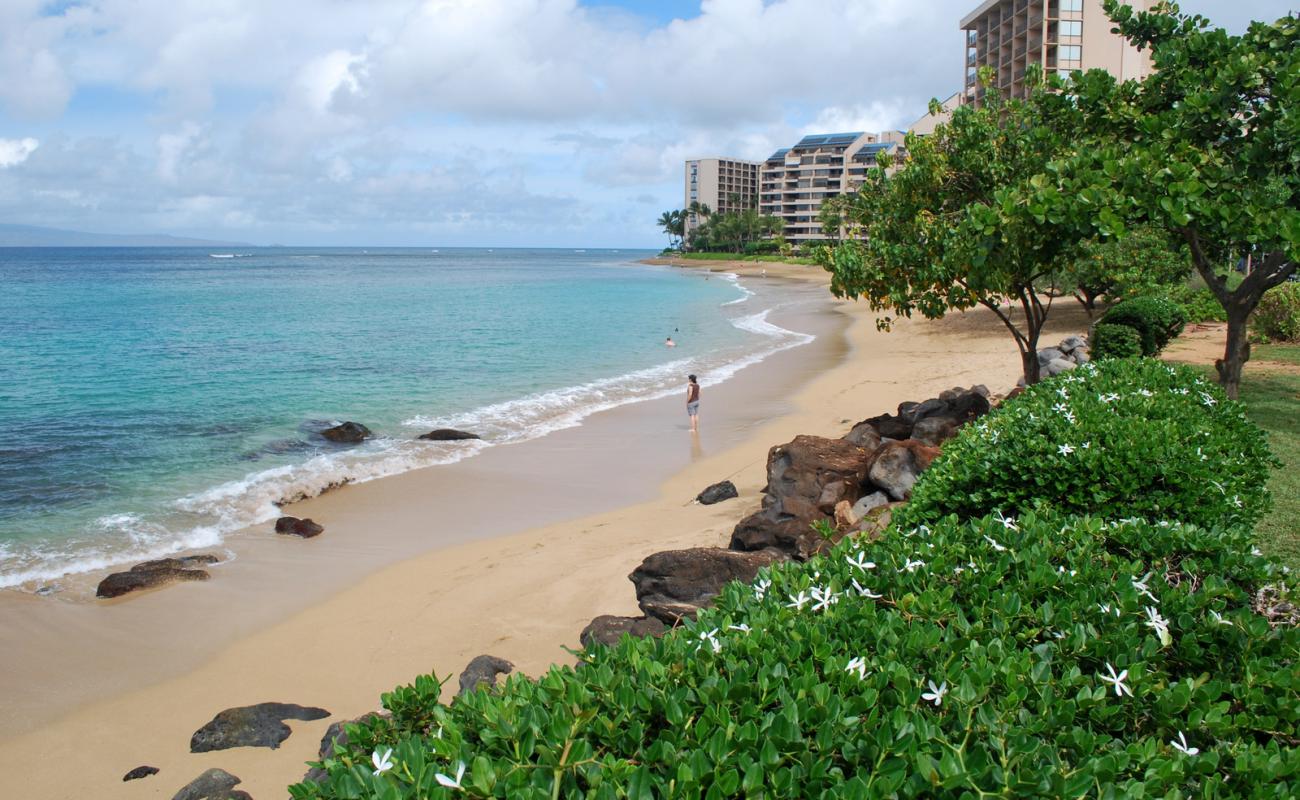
{"type": "Point", "coordinates": [158, 400]}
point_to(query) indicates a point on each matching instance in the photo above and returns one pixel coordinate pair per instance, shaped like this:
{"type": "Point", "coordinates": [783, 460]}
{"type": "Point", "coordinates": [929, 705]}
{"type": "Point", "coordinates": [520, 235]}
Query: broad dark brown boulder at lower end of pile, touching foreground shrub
{"type": "Point", "coordinates": [675, 585]}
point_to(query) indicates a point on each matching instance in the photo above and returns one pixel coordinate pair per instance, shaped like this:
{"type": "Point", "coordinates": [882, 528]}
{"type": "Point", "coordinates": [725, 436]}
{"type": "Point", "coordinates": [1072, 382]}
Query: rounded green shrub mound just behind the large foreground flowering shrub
{"type": "Point", "coordinates": [1132, 438]}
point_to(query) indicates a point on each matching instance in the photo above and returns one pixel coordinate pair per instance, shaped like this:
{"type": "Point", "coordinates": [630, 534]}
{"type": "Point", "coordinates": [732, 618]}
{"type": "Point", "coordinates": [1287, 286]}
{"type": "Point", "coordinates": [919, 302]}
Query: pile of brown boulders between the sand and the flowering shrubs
{"type": "Point", "coordinates": [850, 485]}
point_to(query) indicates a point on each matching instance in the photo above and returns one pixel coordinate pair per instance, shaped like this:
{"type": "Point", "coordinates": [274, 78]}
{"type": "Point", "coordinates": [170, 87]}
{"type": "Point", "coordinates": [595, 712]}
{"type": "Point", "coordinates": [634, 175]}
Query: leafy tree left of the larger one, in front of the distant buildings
{"type": "Point", "coordinates": [939, 235]}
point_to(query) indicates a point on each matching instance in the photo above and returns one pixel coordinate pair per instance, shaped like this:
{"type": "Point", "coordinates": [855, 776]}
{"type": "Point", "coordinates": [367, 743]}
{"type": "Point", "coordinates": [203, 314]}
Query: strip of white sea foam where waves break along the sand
{"type": "Point", "coordinates": [253, 500]}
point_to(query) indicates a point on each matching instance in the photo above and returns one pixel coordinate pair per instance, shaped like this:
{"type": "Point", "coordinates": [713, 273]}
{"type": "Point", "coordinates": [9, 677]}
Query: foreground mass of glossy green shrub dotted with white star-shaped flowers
{"type": "Point", "coordinates": [956, 661]}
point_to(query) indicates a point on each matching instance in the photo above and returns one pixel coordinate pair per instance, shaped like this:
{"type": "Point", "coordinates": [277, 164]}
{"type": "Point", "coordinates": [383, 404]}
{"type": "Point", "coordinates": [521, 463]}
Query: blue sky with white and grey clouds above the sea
{"type": "Point", "coordinates": [441, 123]}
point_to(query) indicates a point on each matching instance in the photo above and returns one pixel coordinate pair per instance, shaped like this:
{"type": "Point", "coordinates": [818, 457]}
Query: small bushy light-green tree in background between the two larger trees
{"type": "Point", "coordinates": [1141, 262]}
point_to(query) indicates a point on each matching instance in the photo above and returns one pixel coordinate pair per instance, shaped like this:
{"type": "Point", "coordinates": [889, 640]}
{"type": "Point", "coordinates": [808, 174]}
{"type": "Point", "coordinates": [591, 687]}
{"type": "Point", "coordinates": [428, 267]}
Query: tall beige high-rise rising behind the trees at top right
{"type": "Point", "coordinates": [1059, 36]}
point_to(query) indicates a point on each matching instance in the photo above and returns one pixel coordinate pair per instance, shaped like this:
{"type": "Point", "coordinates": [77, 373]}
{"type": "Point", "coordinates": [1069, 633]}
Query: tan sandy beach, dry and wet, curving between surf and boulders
{"type": "Point", "coordinates": [525, 598]}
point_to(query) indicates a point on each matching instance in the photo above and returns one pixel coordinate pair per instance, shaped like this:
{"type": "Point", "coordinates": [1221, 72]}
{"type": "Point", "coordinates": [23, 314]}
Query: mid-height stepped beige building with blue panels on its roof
{"type": "Point", "coordinates": [795, 181]}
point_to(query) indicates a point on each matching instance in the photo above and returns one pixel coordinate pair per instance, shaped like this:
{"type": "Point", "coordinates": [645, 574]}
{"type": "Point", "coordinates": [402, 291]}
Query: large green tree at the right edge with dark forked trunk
{"type": "Point", "coordinates": [1206, 149]}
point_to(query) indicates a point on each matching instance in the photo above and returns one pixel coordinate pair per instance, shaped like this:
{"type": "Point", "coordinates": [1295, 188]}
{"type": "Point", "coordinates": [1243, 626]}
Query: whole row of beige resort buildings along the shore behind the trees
{"type": "Point", "coordinates": [1007, 36]}
